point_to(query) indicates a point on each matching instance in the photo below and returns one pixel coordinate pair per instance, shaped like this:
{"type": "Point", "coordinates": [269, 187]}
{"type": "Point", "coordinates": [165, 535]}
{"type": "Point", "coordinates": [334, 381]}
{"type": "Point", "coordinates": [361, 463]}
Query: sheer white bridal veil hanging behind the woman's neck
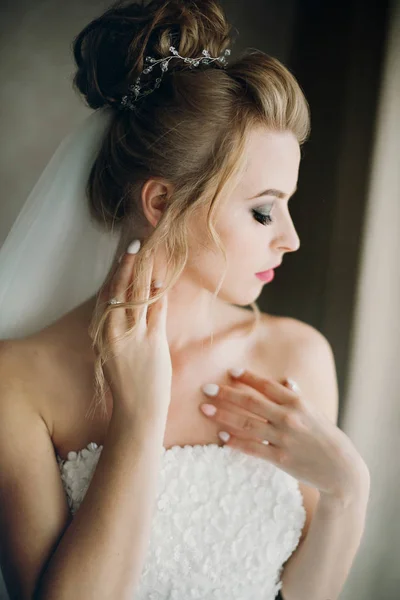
{"type": "Point", "coordinates": [55, 257]}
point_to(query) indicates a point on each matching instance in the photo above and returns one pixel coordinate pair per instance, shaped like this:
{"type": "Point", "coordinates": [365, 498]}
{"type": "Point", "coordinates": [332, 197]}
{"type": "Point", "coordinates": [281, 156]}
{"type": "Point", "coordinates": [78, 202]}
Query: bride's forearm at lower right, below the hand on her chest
{"type": "Point", "coordinates": [320, 568]}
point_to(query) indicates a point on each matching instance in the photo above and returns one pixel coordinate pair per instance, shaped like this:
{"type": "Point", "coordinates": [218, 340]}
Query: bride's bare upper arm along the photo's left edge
{"type": "Point", "coordinates": [33, 503]}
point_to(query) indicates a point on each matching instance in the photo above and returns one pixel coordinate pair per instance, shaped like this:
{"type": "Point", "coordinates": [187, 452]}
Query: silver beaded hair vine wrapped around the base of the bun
{"type": "Point", "coordinates": [135, 92]}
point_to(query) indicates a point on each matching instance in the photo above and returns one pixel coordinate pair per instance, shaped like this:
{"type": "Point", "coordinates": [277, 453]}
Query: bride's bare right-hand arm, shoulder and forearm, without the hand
{"type": "Point", "coordinates": [318, 568]}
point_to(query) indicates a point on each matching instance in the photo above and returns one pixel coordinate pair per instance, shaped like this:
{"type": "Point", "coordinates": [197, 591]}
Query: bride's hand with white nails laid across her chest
{"type": "Point", "coordinates": [301, 440]}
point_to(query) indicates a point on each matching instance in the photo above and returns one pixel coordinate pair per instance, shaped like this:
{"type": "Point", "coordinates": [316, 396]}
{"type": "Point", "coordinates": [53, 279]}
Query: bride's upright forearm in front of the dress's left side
{"type": "Point", "coordinates": [102, 552]}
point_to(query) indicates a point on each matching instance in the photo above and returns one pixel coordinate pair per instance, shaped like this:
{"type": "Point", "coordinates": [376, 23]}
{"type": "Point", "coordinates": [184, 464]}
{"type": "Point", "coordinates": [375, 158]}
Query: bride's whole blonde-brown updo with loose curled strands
{"type": "Point", "coordinates": [215, 106]}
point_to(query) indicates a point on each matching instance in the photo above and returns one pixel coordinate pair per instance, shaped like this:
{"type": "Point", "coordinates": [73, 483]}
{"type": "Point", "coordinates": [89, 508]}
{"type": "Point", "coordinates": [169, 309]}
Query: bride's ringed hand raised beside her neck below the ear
{"type": "Point", "coordinates": [139, 372]}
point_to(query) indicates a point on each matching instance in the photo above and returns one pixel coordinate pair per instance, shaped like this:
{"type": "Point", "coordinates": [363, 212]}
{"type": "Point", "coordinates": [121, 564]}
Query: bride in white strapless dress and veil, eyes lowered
{"type": "Point", "coordinates": [135, 463]}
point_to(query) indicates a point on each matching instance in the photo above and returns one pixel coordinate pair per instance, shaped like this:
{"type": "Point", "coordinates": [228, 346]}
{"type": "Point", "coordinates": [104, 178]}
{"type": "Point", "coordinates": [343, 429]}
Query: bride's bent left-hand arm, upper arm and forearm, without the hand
{"type": "Point", "coordinates": [100, 552]}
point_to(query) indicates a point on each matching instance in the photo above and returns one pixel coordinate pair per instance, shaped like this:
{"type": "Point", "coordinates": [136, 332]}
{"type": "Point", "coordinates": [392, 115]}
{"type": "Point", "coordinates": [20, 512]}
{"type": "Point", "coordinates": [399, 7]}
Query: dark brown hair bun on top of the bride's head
{"type": "Point", "coordinates": [110, 51]}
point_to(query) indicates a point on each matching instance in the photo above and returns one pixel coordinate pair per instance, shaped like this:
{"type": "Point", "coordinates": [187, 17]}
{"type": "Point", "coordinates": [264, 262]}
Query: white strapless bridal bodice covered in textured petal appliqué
{"type": "Point", "coordinates": [224, 522]}
